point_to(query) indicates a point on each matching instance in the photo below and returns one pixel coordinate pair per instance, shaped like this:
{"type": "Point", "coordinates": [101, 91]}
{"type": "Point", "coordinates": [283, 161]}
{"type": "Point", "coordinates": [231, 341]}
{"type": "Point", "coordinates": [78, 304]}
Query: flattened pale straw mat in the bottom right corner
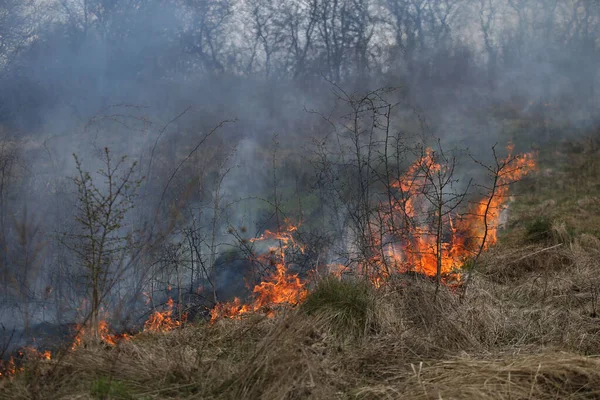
{"type": "Point", "coordinates": [541, 376]}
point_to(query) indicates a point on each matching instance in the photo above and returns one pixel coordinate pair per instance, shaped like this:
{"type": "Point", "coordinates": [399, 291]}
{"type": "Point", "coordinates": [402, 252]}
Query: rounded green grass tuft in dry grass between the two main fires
{"type": "Point", "coordinates": [347, 305]}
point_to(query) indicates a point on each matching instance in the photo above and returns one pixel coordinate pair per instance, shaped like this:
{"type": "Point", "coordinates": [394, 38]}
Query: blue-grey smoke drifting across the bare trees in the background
{"type": "Point", "coordinates": [78, 76]}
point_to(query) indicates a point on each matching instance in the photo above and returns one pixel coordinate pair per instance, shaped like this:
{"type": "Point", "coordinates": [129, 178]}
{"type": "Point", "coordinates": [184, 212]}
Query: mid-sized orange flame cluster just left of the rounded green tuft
{"type": "Point", "coordinates": [279, 288]}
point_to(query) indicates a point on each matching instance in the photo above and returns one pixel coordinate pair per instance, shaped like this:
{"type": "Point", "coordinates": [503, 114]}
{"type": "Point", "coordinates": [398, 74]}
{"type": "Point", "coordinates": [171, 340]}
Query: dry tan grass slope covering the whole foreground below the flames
{"type": "Point", "coordinates": [528, 328]}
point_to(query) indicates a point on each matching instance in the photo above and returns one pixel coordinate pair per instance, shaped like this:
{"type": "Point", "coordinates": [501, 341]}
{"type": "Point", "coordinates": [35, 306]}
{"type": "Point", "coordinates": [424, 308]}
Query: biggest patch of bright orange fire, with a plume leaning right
{"type": "Point", "coordinates": [461, 235]}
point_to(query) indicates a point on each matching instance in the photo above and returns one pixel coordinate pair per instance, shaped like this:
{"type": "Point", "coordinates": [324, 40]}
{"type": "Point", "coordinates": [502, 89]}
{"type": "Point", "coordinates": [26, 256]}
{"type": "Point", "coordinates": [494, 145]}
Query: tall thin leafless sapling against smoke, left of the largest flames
{"type": "Point", "coordinates": [353, 170]}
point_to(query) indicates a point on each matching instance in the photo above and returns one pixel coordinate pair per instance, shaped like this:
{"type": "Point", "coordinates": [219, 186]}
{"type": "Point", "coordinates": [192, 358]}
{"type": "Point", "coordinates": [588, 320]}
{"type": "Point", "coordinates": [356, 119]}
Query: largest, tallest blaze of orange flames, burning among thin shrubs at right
{"type": "Point", "coordinates": [459, 237]}
